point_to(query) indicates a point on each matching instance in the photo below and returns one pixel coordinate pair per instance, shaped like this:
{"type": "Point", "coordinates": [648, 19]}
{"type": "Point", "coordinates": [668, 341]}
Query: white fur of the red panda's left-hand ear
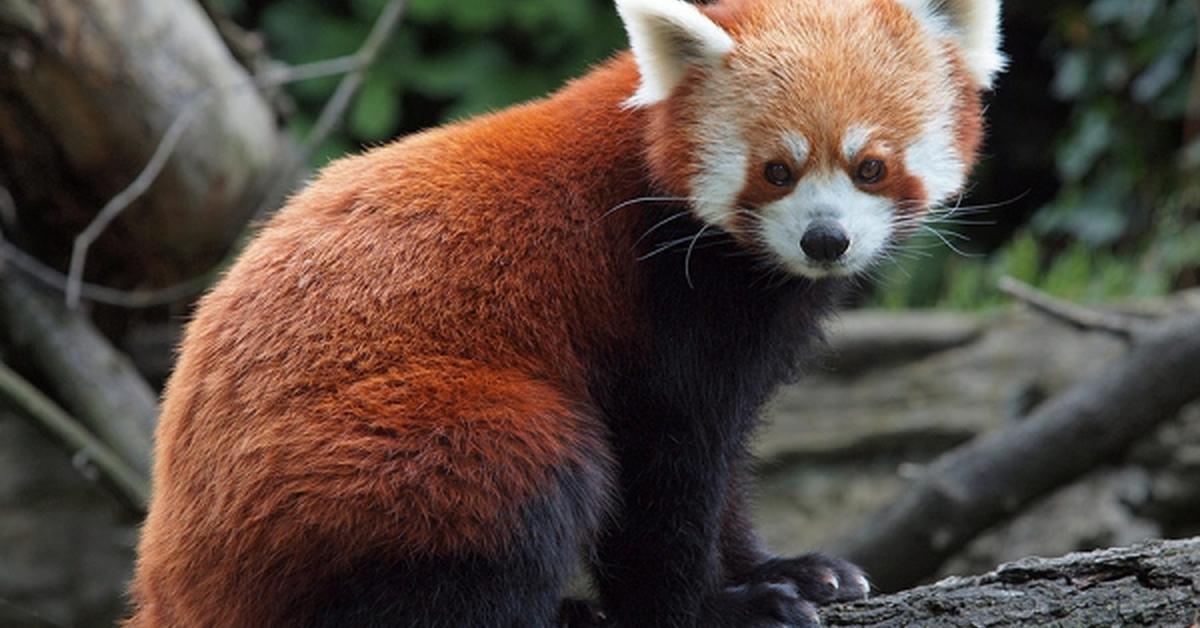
{"type": "Point", "coordinates": [668, 38]}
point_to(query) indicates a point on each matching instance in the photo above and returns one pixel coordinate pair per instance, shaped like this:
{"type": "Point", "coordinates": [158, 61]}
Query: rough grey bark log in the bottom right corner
{"type": "Point", "coordinates": [1155, 584]}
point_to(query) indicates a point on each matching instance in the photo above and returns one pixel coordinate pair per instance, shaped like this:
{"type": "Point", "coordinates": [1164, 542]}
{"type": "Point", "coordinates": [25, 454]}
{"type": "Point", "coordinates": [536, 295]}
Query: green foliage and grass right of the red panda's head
{"type": "Point", "coordinates": [1124, 223]}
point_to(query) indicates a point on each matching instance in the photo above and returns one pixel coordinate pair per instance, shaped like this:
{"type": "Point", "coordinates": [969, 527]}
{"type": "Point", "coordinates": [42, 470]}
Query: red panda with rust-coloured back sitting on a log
{"type": "Point", "coordinates": [460, 367]}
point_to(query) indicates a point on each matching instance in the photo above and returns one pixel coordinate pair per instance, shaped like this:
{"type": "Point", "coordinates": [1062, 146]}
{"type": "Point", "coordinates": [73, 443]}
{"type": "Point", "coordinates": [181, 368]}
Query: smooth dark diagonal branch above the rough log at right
{"type": "Point", "coordinates": [997, 476]}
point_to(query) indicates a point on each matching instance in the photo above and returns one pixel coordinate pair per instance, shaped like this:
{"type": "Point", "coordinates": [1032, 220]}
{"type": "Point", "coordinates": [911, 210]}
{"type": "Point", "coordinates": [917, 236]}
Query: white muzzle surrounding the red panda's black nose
{"type": "Point", "coordinates": [833, 198]}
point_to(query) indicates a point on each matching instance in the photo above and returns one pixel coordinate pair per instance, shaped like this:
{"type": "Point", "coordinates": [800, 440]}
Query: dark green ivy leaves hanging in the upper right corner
{"type": "Point", "coordinates": [1127, 70]}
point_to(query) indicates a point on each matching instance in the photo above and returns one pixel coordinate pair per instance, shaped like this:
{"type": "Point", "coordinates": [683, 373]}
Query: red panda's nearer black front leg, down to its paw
{"type": "Point", "coordinates": [661, 565]}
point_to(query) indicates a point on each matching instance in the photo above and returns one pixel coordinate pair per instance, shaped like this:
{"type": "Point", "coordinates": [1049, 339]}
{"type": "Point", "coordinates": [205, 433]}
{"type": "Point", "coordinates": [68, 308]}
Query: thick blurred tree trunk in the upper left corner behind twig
{"type": "Point", "coordinates": [82, 110]}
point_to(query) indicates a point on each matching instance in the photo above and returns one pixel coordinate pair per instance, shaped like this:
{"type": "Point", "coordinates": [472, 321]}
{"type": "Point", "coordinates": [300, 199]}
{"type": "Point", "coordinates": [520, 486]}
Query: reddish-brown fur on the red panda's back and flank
{"type": "Point", "coordinates": [346, 374]}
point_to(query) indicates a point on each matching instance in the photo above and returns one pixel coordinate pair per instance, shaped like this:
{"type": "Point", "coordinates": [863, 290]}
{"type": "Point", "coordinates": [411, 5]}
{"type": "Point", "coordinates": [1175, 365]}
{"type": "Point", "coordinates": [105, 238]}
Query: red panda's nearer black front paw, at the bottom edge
{"type": "Point", "coordinates": [761, 606]}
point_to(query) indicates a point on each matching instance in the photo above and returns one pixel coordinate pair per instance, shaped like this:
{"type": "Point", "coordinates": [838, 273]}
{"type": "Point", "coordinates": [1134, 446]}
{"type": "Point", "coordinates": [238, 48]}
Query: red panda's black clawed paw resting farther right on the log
{"type": "Point", "coordinates": [819, 578]}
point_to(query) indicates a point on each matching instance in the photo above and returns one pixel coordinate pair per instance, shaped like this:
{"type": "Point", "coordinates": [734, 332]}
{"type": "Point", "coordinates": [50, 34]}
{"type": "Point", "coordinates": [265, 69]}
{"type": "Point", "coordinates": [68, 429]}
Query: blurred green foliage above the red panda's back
{"type": "Point", "coordinates": [448, 61]}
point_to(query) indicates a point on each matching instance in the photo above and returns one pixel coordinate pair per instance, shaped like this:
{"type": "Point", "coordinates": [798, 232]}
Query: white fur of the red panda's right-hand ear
{"type": "Point", "coordinates": [975, 26]}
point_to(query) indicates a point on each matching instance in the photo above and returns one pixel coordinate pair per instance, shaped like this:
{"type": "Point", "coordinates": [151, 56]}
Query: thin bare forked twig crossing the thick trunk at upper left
{"type": "Point", "coordinates": [355, 67]}
